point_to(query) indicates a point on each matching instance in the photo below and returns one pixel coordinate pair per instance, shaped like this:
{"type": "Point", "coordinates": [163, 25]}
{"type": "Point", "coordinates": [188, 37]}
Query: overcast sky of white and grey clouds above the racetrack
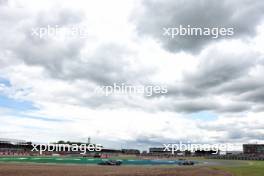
{"type": "Point", "coordinates": [215, 86]}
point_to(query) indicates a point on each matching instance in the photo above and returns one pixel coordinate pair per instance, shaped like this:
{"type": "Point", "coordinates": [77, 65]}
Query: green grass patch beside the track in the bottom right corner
{"type": "Point", "coordinates": [249, 168]}
